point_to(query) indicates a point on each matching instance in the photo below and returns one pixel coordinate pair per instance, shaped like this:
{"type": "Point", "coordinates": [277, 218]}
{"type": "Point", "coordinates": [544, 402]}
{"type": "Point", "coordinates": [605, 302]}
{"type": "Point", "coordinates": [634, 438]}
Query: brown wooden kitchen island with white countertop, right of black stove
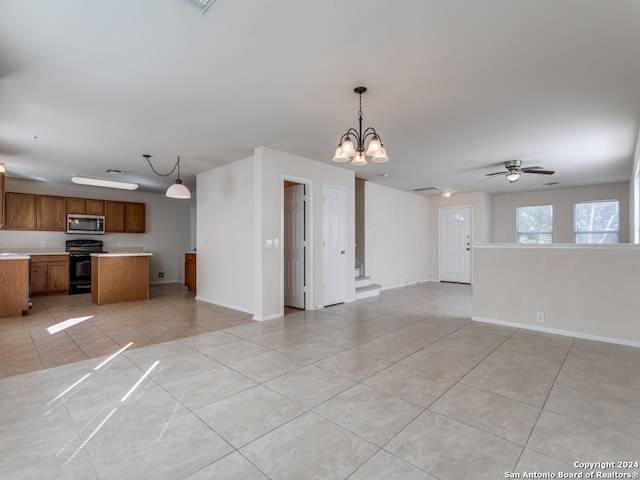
{"type": "Point", "coordinates": [119, 277]}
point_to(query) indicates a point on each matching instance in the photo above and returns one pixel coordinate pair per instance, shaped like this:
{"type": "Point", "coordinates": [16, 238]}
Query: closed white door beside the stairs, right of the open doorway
{"type": "Point", "coordinates": [334, 227]}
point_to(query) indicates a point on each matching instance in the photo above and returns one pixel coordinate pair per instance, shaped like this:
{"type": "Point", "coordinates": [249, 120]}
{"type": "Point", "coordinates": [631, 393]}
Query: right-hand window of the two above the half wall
{"type": "Point", "coordinates": [596, 222]}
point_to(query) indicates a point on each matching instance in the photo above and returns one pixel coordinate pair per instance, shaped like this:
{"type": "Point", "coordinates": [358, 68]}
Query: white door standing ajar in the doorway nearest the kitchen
{"type": "Point", "coordinates": [294, 246]}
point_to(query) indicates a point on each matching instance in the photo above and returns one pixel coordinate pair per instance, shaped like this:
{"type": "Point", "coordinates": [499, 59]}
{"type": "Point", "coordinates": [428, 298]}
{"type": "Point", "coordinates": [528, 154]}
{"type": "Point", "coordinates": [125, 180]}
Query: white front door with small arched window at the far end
{"type": "Point", "coordinates": [454, 245]}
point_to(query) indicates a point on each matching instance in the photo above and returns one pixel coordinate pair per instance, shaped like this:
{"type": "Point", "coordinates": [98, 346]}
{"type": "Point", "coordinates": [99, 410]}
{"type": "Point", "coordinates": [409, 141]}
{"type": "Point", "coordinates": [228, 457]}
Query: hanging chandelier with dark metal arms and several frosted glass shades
{"type": "Point", "coordinates": [352, 142]}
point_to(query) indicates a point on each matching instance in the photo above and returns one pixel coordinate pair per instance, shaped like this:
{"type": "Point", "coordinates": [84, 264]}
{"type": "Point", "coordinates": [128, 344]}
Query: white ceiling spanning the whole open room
{"type": "Point", "coordinates": [456, 87]}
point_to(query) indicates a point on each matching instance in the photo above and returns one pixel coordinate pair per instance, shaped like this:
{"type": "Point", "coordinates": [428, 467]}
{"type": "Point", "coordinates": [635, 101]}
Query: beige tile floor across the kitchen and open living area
{"type": "Point", "coordinates": [402, 386]}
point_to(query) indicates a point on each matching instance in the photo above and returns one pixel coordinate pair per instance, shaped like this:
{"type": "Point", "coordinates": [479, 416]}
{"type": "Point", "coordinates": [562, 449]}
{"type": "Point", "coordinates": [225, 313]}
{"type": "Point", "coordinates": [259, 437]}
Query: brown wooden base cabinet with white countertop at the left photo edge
{"type": "Point", "coordinates": [14, 284]}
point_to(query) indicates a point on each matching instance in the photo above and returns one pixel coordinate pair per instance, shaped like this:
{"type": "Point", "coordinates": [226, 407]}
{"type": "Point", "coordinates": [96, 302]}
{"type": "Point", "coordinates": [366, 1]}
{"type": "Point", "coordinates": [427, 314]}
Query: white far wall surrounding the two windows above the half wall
{"type": "Point", "coordinates": [562, 199]}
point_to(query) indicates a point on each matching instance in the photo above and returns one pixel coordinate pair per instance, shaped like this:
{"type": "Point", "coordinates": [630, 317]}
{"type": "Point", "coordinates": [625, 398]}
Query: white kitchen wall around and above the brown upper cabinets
{"type": "Point", "coordinates": [167, 233]}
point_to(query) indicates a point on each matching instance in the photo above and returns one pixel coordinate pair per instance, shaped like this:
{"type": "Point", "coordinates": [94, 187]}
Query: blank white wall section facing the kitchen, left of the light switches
{"type": "Point", "coordinates": [225, 235]}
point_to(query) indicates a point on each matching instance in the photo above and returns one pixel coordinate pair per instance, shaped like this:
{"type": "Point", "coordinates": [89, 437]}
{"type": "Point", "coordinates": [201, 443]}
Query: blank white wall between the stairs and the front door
{"type": "Point", "coordinates": [396, 236]}
